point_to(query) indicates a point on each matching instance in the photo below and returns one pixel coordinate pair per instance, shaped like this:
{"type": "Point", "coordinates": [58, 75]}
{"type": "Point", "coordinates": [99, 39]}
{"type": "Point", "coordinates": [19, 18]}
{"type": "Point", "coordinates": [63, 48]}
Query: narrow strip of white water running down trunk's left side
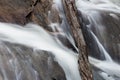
{"type": "Point", "coordinates": [58, 4]}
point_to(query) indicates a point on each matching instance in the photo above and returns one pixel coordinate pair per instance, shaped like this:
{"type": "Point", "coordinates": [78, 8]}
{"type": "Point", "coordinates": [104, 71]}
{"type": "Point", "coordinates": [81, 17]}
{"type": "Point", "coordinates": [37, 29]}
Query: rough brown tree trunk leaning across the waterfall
{"type": "Point", "coordinates": [74, 22]}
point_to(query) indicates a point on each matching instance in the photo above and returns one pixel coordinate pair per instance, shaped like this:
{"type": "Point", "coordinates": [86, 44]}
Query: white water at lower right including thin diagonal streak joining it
{"type": "Point", "coordinates": [109, 67]}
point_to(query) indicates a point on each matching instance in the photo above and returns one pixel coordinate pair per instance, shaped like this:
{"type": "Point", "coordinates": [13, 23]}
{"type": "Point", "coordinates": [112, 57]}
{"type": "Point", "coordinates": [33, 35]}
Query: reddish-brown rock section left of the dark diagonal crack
{"type": "Point", "coordinates": [14, 11]}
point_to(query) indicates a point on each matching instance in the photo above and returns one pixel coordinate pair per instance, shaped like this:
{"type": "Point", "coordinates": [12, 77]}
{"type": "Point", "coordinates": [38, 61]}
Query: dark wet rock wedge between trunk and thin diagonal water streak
{"type": "Point", "coordinates": [92, 45]}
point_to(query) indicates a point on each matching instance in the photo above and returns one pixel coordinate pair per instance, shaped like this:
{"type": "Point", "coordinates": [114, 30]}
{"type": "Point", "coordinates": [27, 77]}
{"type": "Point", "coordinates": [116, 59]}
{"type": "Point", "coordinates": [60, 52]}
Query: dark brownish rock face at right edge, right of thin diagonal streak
{"type": "Point", "coordinates": [111, 38]}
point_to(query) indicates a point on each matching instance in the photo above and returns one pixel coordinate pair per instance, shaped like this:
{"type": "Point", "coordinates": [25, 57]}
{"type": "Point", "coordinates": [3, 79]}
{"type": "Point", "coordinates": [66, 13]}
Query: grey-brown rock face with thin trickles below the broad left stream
{"type": "Point", "coordinates": [18, 62]}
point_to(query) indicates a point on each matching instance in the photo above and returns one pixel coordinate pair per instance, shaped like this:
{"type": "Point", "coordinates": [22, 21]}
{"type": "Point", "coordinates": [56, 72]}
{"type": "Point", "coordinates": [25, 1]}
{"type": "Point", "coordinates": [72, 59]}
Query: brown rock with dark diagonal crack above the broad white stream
{"type": "Point", "coordinates": [23, 11]}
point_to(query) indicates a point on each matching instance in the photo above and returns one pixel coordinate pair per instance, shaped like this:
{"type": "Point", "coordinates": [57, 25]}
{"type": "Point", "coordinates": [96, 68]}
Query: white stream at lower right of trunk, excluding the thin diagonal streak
{"type": "Point", "coordinates": [110, 68]}
